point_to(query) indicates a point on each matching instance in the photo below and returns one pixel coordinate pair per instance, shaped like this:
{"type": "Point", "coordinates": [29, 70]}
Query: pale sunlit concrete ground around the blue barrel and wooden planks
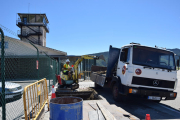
{"type": "Point", "coordinates": [116, 111]}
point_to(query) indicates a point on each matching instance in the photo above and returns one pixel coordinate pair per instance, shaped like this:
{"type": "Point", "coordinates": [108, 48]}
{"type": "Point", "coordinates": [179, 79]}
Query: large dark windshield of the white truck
{"type": "Point", "coordinates": [155, 58]}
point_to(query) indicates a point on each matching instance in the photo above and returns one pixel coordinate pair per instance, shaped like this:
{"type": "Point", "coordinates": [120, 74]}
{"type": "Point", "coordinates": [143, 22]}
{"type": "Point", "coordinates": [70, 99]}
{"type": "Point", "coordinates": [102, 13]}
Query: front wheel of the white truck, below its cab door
{"type": "Point", "coordinates": [116, 95]}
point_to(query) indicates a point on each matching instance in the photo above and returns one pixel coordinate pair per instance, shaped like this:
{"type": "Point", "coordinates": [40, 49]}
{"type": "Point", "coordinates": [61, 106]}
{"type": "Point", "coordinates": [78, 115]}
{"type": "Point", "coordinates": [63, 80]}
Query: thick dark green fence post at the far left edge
{"type": "Point", "coordinates": [3, 77]}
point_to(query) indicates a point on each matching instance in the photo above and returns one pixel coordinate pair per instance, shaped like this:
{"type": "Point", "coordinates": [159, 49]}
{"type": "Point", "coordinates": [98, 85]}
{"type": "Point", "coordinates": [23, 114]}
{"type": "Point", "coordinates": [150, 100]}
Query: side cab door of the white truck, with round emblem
{"type": "Point", "coordinates": [123, 65]}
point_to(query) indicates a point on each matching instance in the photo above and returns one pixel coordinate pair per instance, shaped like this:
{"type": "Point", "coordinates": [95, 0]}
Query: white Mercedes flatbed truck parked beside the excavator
{"type": "Point", "coordinates": [143, 71]}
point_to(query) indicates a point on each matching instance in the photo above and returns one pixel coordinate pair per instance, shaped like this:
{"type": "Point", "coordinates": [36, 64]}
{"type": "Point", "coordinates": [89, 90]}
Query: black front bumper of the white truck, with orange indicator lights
{"type": "Point", "coordinates": [145, 92]}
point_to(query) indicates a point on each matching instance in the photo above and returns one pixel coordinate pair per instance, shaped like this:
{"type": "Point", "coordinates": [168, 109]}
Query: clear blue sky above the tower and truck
{"type": "Point", "coordinates": [89, 26]}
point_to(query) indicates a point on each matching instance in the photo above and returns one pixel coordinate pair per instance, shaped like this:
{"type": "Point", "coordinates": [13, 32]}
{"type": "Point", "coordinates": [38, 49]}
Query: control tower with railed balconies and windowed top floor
{"type": "Point", "coordinates": [33, 27]}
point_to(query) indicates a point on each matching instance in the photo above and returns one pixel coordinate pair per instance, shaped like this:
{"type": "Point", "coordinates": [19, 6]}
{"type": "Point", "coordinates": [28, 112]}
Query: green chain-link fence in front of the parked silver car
{"type": "Point", "coordinates": [21, 64]}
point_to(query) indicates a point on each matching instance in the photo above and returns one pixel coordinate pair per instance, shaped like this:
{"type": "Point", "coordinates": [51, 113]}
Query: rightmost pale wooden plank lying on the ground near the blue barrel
{"type": "Point", "coordinates": [106, 113]}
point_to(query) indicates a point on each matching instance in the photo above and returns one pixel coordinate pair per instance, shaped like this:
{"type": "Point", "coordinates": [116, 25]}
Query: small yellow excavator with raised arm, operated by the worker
{"type": "Point", "coordinates": [71, 82]}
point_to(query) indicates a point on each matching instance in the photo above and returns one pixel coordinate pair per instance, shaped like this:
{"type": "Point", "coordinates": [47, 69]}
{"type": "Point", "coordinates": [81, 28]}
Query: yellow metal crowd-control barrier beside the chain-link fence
{"type": "Point", "coordinates": [35, 97]}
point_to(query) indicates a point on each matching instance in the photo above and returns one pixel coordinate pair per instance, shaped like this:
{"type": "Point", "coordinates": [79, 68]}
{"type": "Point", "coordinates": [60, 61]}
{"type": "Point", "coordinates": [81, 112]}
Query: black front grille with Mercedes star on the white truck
{"type": "Point", "coordinates": [153, 82]}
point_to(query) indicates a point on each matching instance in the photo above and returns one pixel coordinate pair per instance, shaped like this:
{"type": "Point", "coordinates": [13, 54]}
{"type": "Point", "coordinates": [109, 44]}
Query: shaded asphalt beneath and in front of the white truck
{"type": "Point", "coordinates": [169, 109]}
